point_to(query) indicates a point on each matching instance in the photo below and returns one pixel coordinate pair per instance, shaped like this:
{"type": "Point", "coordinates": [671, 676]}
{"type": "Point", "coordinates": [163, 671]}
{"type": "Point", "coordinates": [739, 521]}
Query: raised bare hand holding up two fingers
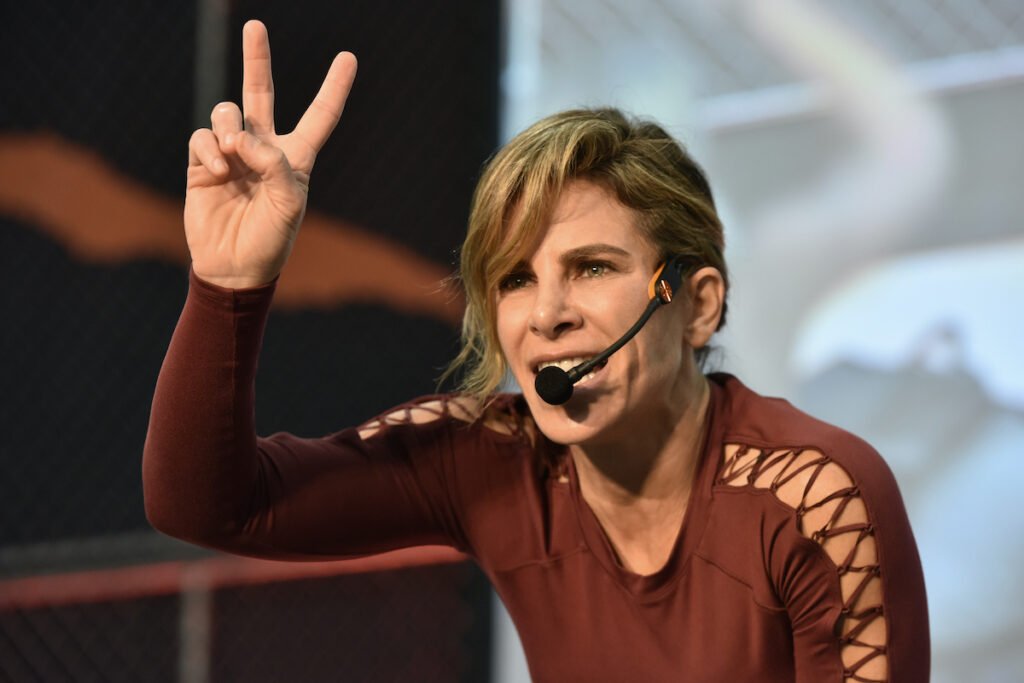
{"type": "Point", "coordinates": [247, 186]}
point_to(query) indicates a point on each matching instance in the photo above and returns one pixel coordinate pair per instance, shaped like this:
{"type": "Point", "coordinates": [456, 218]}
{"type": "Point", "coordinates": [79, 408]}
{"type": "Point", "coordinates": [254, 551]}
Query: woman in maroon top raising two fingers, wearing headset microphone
{"type": "Point", "coordinates": [660, 526]}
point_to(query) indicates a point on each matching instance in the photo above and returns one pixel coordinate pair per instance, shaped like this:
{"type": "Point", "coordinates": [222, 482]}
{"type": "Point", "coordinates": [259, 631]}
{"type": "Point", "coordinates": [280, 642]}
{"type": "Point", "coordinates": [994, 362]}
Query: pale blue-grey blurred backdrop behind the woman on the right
{"type": "Point", "coordinates": [868, 160]}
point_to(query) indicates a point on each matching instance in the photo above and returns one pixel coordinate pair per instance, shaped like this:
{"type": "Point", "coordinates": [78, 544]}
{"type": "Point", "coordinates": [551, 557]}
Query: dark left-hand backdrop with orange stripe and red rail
{"type": "Point", "coordinates": [100, 101]}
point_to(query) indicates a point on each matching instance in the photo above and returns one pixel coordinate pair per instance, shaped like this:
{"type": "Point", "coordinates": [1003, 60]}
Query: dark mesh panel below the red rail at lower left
{"type": "Point", "coordinates": [420, 624]}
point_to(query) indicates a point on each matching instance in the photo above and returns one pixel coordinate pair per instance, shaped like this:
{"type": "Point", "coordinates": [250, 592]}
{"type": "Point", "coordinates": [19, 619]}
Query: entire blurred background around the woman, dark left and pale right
{"type": "Point", "coordinates": [867, 159]}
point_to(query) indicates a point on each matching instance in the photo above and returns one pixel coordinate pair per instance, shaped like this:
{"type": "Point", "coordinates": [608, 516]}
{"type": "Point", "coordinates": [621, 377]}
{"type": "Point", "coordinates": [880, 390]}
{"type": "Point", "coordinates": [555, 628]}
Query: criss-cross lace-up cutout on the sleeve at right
{"type": "Point", "coordinates": [830, 511]}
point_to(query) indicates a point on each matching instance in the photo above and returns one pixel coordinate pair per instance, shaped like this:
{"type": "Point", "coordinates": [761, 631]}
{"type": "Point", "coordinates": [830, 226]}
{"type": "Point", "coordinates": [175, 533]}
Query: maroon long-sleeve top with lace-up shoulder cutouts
{"type": "Point", "coordinates": [795, 562]}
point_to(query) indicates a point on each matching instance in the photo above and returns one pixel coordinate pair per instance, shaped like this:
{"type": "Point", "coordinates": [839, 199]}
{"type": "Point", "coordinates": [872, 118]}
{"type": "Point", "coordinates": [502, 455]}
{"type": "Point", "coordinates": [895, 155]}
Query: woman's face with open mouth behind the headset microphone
{"type": "Point", "coordinates": [577, 293]}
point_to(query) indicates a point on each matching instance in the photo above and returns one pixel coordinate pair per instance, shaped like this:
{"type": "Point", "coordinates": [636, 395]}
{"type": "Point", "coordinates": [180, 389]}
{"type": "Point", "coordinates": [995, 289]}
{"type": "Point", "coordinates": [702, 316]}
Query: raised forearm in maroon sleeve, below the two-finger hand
{"type": "Point", "coordinates": [200, 465]}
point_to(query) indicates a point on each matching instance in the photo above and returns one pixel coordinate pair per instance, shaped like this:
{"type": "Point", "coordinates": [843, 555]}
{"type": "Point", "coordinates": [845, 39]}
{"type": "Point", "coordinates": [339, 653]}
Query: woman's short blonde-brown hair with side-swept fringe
{"type": "Point", "coordinates": [635, 160]}
